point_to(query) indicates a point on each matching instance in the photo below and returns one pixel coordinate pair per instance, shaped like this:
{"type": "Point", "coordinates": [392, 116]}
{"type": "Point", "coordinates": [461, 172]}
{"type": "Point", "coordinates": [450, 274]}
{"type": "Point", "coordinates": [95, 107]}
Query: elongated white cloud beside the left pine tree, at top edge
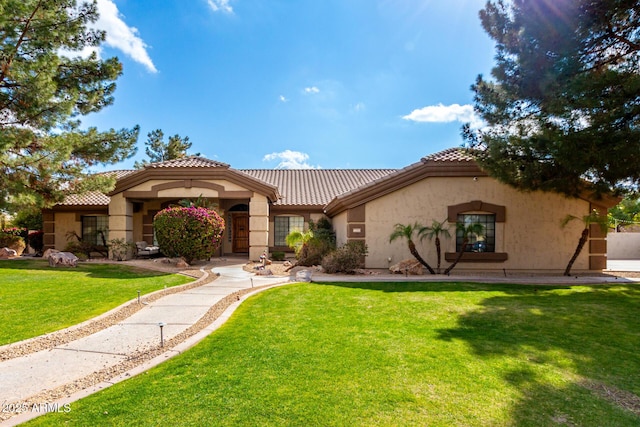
{"type": "Point", "coordinates": [121, 36]}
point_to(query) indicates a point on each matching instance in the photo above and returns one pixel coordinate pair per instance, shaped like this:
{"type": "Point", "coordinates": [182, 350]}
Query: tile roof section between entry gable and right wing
{"type": "Point", "coordinates": [305, 187]}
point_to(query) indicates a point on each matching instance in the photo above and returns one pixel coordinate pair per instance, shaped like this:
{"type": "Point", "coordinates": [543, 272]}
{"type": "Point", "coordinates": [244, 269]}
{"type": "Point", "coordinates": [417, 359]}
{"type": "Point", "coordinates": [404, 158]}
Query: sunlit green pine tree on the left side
{"type": "Point", "coordinates": [45, 86]}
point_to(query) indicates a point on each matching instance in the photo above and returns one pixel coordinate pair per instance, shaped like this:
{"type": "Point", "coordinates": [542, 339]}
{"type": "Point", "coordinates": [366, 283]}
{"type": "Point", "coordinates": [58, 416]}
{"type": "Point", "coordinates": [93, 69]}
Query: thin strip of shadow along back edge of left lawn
{"type": "Point", "coordinates": [105, 271]}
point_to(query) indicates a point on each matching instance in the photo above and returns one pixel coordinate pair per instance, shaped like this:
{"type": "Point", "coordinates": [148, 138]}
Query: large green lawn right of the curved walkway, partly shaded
{"type": "Point", "coordinates": [434, 354]}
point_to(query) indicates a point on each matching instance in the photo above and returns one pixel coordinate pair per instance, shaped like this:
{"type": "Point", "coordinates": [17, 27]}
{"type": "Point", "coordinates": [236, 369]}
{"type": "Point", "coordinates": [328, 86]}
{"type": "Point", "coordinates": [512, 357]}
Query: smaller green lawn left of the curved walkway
{"type": "Point", "coordinates": [36, 299]}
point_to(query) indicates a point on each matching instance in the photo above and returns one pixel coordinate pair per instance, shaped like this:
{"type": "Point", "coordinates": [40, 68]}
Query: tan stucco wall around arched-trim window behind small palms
{"type": "Point", "coordinates": [531, 235]}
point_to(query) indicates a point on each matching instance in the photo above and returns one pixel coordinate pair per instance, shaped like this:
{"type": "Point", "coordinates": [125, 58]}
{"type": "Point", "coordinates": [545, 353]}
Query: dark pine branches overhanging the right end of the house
{"type": "Point", "coordinates": [562, 110]}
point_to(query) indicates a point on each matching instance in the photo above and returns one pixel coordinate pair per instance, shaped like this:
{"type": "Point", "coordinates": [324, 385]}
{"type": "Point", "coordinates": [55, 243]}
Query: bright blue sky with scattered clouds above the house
{"type": "Point", "coordinates": [296, 83]}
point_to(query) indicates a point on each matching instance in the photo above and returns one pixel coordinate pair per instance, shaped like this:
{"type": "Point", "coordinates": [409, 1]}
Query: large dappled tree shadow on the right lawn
{"type": "Point", "coordinates": [589, 335]}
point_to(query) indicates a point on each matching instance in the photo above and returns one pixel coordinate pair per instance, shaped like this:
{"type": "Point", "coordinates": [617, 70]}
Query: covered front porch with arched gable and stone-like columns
{"type": "Point", "coordinates": [241, 200]}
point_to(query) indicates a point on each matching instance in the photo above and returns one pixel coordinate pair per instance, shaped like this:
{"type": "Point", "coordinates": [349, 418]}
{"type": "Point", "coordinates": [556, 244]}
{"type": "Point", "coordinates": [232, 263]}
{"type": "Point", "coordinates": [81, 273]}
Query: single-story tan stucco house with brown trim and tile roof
{"type": "Point", "coordinates": [260, 207]}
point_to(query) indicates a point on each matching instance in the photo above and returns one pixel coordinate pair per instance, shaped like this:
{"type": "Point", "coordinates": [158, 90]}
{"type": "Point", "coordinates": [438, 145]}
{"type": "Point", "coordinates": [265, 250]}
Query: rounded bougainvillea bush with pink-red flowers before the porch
{"type": "Point", "coordinates": [189, 232]}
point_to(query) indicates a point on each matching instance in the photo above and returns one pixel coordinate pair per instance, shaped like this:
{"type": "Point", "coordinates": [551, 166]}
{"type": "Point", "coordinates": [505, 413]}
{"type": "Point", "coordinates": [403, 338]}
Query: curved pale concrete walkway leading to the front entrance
{"type": "Point", "coordinates": [25, 381]}
